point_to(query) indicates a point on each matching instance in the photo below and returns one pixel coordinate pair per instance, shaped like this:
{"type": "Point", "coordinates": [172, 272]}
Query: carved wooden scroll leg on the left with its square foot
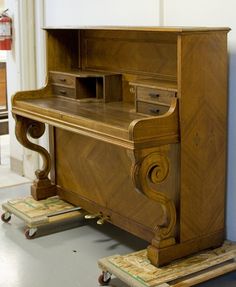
{"type": "Point", "coordinates": [42, 186]}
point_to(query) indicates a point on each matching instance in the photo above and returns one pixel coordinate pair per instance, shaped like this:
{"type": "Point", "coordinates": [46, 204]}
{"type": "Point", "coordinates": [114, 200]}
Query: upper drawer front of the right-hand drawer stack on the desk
{"type": "Point", "coordinates": [154, 95]}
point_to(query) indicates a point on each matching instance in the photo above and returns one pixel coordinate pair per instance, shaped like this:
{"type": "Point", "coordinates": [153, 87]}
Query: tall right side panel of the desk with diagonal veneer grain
{"type": "Point", "coordinates": [203, 123]}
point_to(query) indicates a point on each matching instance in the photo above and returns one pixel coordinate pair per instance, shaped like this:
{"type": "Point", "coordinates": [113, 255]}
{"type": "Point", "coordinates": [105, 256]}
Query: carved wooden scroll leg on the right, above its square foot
{"type": "Point", "coordinates": [152, 170]}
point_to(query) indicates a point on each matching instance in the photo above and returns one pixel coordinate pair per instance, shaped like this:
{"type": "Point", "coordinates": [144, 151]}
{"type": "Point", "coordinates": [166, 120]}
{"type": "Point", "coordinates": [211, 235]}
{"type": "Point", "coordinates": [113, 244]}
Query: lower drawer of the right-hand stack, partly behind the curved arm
{"type": "Point", "coordinates": [151, 109]}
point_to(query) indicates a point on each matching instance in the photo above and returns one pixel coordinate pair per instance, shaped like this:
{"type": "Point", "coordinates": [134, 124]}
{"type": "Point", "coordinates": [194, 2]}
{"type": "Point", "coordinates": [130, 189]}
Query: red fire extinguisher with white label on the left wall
{"type": "Point", "coordinates": [5, 31]}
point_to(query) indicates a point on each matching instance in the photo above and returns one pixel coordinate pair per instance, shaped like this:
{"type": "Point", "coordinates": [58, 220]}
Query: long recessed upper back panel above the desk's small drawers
{"type": "Point", "coordinates": [127, 52]}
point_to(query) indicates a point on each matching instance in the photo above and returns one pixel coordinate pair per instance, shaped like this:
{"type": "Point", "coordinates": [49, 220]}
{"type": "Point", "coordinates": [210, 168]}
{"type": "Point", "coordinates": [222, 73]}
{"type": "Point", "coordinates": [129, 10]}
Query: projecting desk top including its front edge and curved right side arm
{"type": "Point", "coordinates": [116, 122]}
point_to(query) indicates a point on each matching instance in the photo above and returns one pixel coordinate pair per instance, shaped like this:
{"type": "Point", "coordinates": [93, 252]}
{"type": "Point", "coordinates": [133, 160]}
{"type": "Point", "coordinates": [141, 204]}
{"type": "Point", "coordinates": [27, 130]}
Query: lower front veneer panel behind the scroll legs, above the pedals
{"type": "Point", "coordinates": [100, 173]}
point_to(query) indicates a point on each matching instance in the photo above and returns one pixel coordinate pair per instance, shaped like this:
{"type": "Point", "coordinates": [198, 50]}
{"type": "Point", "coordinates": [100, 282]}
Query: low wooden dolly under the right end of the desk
{"type": "Point", "coordinates": [135, 269]}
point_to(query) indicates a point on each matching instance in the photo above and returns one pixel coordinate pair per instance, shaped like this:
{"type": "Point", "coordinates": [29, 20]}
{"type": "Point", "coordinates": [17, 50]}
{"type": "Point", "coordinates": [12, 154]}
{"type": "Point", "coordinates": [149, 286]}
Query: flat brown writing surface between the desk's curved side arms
{"type": "Point", "coordinates": [113, 118]}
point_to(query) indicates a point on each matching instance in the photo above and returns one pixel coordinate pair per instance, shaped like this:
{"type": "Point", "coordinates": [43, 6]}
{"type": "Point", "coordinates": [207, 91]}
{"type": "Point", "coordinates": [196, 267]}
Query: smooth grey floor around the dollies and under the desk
{"type": "Point", "coordinates": [66, 258]}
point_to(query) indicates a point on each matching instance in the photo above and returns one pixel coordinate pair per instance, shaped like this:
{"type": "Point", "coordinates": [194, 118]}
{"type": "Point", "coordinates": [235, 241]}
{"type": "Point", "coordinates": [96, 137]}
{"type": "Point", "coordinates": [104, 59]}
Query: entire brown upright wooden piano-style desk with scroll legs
{"type": "Point", "coordinates": [138, 121]}
